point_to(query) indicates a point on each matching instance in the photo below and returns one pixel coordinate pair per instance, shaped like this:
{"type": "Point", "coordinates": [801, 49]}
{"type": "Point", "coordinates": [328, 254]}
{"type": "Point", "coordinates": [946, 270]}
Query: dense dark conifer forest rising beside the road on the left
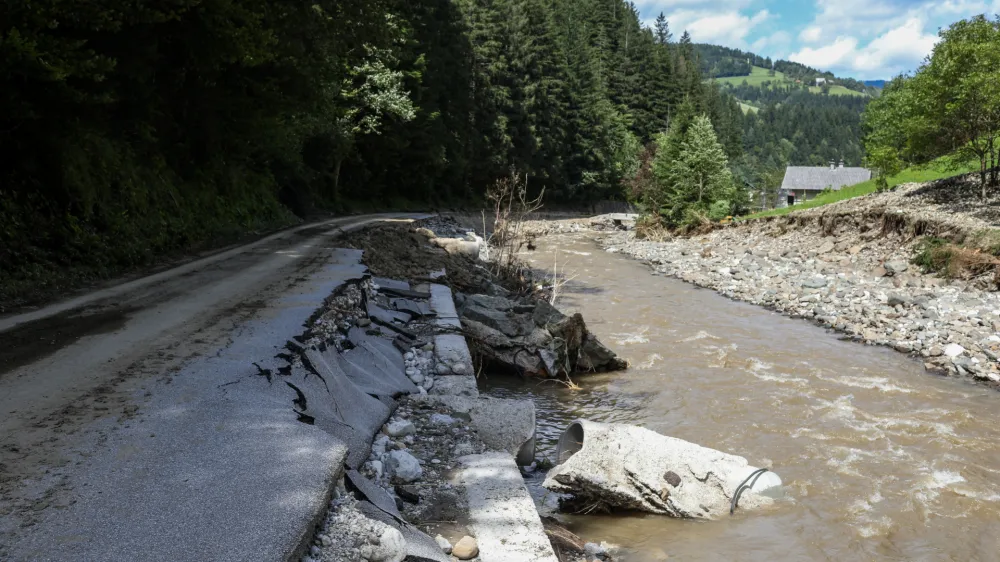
{"type": "Point", "coordinates": [133, 130]}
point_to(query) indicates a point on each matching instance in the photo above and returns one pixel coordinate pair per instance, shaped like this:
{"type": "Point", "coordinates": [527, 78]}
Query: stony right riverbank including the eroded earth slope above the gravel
{"type": "Point", "coordinates": [847, 267]}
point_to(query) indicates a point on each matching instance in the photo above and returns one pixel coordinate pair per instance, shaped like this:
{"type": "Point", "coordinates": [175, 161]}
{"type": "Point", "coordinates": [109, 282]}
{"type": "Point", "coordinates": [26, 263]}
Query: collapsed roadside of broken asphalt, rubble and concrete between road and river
{"type": "Point", "coordinates": [447, 461]}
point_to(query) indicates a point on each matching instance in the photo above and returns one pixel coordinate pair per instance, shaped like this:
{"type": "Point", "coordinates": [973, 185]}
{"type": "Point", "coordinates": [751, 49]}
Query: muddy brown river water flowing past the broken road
{"type": "Point", "coordinates": [882, 461]}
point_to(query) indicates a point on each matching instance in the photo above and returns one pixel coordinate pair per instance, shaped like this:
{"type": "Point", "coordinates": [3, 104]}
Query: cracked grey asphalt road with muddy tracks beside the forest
{"type": "Point", "coordinates": [101, 395]}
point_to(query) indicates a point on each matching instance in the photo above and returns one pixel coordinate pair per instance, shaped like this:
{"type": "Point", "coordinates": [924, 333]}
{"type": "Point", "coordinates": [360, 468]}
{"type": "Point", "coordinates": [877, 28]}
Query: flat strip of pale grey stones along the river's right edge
{"type": "Point", "coordinates": [839, 284]}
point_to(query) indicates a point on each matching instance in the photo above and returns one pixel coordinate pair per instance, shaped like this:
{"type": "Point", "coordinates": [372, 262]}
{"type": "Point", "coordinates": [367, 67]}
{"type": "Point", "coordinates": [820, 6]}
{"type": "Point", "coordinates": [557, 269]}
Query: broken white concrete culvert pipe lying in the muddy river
{"type": "Point", "coordinates": [626, 467]}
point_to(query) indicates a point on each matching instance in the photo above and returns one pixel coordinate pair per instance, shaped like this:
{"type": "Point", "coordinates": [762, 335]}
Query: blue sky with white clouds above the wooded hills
{"type": "Point", "coordinates": [864, 39]}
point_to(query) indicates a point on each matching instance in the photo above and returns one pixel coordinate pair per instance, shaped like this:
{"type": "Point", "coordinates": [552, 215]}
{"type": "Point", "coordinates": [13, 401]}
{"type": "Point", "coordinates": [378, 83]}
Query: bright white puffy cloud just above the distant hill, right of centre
{"type": "Point", "coordinates": [897, 50]}
